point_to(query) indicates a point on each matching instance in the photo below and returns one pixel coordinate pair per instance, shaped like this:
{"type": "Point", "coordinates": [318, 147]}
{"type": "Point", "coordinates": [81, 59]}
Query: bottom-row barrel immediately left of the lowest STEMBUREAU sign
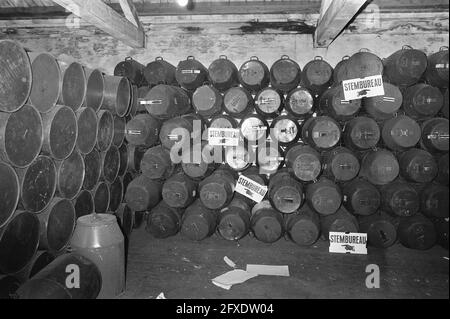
{"type": "Point", "coordinates": [303, 227]}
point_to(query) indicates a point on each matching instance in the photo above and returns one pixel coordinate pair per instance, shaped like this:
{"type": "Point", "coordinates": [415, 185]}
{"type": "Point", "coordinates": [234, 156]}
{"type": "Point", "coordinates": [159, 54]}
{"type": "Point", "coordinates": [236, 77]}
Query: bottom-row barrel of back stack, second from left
{"type": "Point", "coordinates": [198, 221]}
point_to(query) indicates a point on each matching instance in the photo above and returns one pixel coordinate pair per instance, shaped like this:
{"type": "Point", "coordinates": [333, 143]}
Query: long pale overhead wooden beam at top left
{"type": "Point", "coordinates": [105, 18]}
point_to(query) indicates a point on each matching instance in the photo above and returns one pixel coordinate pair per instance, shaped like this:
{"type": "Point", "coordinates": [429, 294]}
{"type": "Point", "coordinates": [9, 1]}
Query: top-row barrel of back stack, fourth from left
{"type": "Point", "coordinates": [223, 74]}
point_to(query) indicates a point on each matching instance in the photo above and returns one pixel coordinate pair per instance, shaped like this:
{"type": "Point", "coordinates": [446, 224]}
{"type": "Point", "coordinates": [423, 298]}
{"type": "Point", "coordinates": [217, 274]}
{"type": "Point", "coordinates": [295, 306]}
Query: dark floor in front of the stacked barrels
{"type": "Point", "coordinates": [183, 270]}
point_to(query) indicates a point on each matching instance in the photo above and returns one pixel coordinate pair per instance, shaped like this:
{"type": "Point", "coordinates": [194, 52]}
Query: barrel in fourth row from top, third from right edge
{"type": "Point", "coordinates": [379, 167]}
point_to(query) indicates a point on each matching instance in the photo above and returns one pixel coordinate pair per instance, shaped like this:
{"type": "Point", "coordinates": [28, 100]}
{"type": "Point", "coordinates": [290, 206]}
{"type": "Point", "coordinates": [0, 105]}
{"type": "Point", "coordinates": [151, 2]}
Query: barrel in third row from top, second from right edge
{"type": "Point", "coordinates": [400, 133]}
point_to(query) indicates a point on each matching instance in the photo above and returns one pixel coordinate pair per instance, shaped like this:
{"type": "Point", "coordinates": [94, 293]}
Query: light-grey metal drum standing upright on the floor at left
{"type": "Point", "coordinates": [98, 237]}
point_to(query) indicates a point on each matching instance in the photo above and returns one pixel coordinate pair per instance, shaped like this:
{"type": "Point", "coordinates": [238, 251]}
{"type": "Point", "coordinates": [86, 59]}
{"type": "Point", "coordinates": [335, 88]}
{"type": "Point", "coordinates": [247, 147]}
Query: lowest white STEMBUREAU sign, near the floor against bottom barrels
{"type": "Point", "coordinates": [348, 243]}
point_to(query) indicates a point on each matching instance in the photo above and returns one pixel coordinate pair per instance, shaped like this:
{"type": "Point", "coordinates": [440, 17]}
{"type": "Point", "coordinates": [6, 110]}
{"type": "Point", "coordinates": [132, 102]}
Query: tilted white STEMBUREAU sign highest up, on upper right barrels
{"type": "Point", "coordinates": [356, 89]}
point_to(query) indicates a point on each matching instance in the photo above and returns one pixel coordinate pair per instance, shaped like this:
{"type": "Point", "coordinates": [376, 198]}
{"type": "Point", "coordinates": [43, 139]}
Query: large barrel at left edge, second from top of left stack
{"type": "Point", "coordinates": [21, 135]}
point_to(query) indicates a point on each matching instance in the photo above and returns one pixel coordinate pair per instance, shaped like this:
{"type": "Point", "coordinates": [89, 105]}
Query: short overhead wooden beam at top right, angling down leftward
{"type": "Point", "coordinates": [334, 17]}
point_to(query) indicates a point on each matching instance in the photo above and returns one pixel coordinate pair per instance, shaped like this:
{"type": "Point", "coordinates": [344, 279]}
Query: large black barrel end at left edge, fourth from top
{"type": "Point", "coordinates": [19, 241]}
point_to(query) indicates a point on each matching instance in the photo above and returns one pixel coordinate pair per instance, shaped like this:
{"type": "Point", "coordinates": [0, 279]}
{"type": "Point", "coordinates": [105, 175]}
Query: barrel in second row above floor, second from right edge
{"type": "Point", "coordinates": [400, 199]}
